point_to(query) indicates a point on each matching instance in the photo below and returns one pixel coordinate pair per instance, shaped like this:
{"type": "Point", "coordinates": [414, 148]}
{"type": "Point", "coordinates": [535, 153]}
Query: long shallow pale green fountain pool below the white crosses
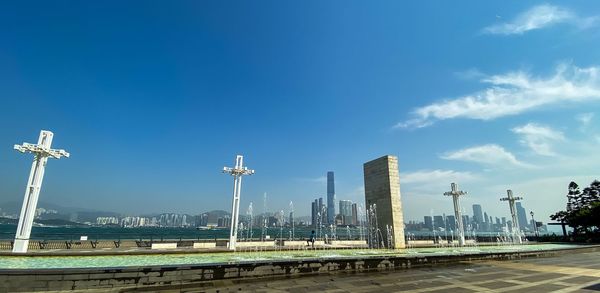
{"type": "Point", "coordinates": [119, 261]}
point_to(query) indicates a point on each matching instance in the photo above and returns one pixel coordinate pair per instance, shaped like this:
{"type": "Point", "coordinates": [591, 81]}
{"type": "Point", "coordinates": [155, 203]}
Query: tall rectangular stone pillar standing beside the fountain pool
{"type": "Point", "coordinates": [382, 187]}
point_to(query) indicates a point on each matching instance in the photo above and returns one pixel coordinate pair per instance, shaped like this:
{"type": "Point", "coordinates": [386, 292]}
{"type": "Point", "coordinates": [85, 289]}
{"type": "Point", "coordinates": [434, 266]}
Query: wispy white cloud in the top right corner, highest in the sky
{"type": "Point", "coordinates": [539, 17]}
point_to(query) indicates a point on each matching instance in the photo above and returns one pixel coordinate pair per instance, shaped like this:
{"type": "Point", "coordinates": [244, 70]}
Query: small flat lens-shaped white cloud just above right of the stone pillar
{"type": "Point", "coordinates": [489, 154]}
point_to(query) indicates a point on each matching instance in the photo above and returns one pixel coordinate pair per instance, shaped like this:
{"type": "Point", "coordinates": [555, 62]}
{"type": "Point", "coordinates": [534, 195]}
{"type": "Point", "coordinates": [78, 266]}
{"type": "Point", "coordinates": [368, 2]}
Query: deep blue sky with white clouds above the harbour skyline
{"type": "Point", "coordinates": [152, 99]}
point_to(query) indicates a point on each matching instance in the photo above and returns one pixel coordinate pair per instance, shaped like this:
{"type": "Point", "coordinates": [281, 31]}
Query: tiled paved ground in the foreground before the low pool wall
{"type": "Point", "coordinates": [577, 272]}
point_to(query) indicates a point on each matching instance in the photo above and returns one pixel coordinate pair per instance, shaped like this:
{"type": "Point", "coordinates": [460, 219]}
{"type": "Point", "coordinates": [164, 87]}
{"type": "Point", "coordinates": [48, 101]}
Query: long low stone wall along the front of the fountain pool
{"type": "Point", "coordinates": [182, 276]}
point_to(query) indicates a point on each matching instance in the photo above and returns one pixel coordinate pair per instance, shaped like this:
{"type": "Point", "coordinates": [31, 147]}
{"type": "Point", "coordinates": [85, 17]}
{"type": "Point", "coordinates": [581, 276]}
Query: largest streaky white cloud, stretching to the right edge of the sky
{"type": "Point", "coordinates": [513, 93]}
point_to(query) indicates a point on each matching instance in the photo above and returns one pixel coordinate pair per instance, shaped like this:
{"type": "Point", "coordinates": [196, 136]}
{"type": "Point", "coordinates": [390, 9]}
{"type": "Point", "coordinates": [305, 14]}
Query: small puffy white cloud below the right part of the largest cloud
{"type": "Point", "coordinates": [538, 138]}
